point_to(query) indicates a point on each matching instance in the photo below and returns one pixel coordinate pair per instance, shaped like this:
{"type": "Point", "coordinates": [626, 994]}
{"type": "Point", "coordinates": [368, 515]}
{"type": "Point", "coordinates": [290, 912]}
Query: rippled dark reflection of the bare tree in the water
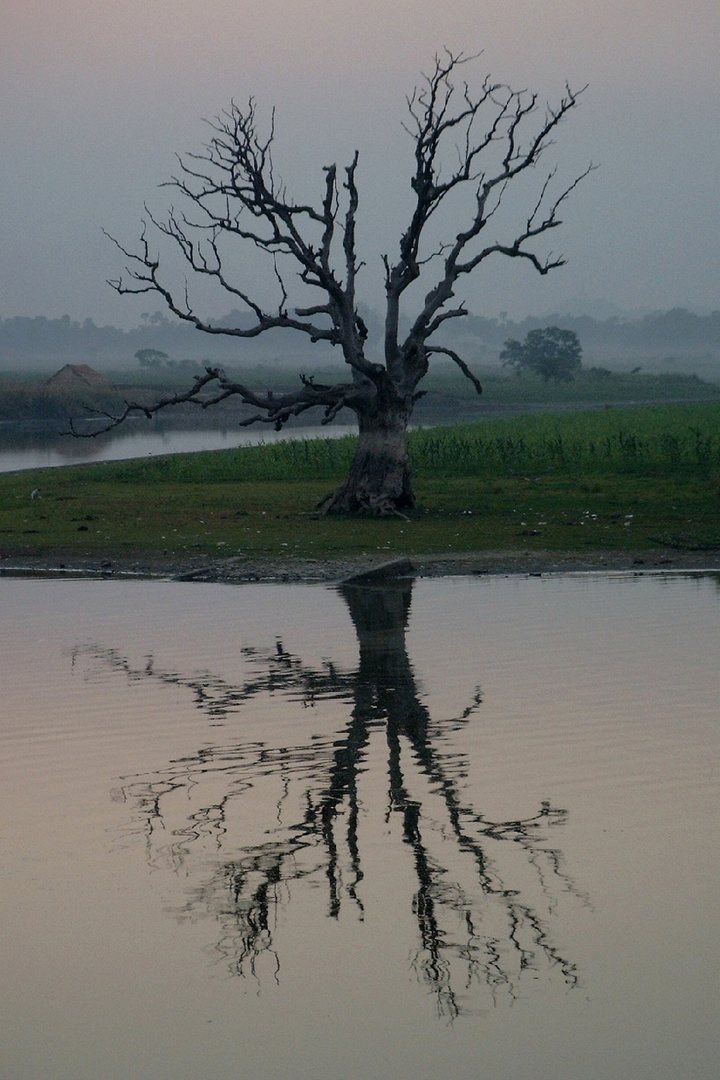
{"type": "Point", "coordinates": [485, 893]}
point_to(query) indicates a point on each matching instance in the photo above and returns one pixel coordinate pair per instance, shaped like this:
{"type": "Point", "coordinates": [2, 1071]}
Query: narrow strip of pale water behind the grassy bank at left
{"type": "Point", "coordinates": [39, 451]}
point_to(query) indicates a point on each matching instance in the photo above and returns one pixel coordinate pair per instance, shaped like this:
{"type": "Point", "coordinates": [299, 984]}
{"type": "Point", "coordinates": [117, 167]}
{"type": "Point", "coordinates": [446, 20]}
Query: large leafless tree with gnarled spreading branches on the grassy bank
{"type": "Point", "coordinates": [467, 144]}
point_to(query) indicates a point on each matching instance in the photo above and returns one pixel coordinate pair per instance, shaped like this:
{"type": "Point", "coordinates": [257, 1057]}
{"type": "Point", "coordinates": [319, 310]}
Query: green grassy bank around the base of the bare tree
{"type": "Point", "coordinates": [602, 480]}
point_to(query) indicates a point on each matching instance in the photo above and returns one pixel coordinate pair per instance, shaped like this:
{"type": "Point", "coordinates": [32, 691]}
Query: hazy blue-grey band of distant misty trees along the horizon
{"type": "Point", "coordinates": [676, 341]}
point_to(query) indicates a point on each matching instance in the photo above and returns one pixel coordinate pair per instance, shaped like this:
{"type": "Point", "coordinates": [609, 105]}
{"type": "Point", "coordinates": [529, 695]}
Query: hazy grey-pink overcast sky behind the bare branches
{"type": "Point", "coordinates": [98, 96]}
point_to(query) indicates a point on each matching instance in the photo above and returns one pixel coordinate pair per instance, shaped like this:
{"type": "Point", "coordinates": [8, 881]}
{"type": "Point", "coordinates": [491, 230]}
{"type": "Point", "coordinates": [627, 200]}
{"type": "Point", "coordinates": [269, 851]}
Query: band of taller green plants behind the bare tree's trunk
{"type": "Point", "coordinates": [655, 441]}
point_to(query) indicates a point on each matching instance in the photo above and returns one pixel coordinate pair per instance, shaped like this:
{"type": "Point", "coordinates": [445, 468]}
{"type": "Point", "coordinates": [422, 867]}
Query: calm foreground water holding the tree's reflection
{"type": "Point", "coordinates": [463, 828]}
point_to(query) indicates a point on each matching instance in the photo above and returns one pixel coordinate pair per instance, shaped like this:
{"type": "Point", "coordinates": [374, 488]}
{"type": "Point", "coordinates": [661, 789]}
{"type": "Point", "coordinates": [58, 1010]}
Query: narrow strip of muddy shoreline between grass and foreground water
{"type": "Point", "coordinates": [333, 572]}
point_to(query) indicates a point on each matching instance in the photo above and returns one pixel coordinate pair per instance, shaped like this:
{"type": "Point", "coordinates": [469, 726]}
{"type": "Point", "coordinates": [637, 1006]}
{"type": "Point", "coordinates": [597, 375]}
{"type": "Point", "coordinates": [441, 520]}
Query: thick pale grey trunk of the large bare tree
{"type": "Point", "coordinates": [379, 478]}
